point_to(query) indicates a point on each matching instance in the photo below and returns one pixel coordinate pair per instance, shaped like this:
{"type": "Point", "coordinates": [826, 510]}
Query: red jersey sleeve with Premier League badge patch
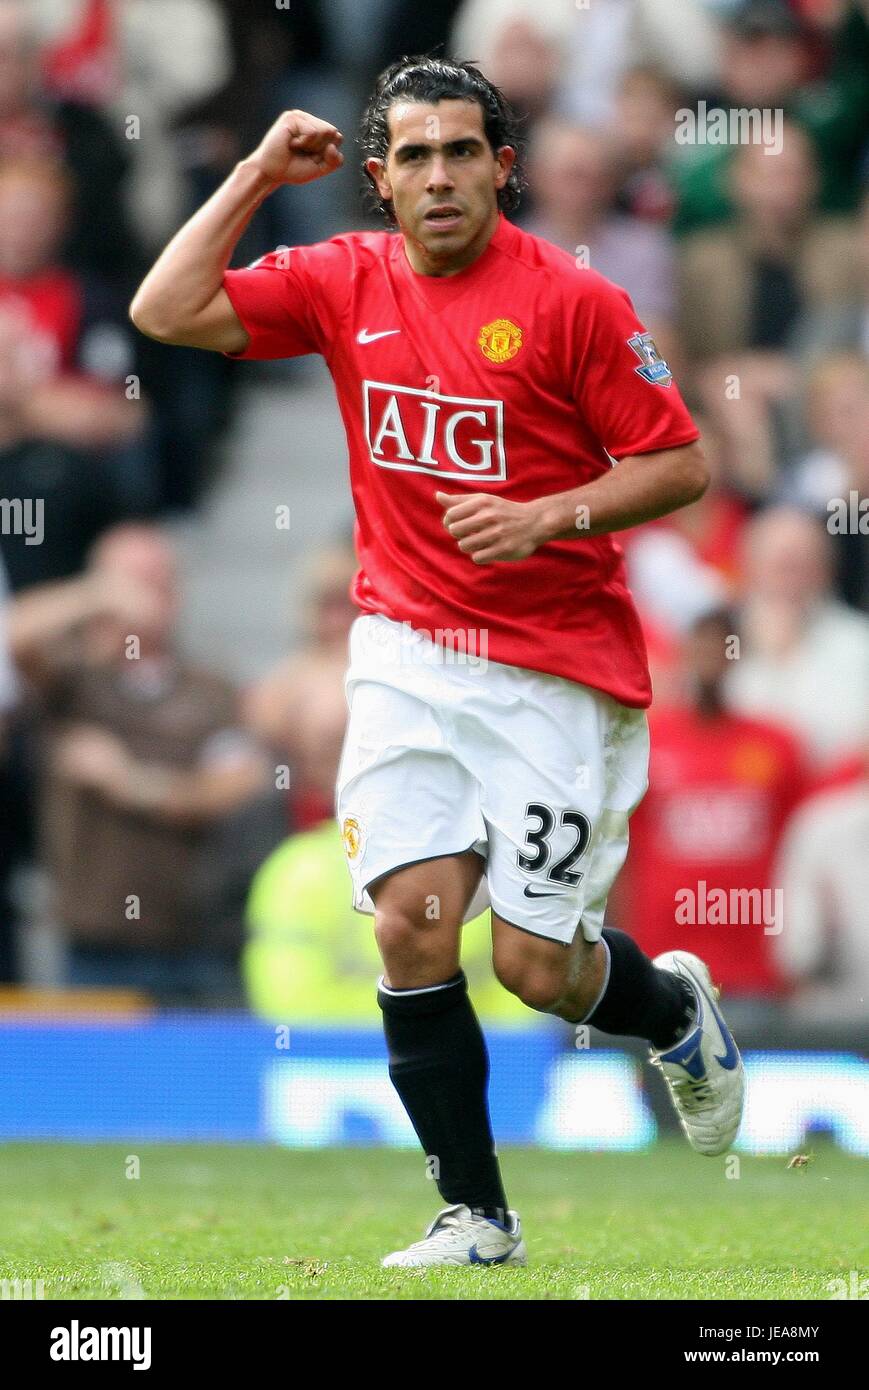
{"type": "Point", "coordinates": [619, 380]}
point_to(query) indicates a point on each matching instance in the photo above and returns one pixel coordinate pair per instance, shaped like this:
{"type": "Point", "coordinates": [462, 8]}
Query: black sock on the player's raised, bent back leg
{"type": "Point", "coordinates": [640, 1000]}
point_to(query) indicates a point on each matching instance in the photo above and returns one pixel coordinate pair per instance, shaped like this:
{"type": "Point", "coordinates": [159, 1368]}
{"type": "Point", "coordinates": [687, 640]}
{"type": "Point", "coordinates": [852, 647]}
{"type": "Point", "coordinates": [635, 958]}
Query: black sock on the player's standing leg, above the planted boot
{"type": "Point", "coordinates": [440, 1067]}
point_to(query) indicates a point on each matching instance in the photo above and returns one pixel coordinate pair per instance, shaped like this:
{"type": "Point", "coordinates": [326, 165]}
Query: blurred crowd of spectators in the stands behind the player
{"type": "Point", "coordinates": [181, 826]}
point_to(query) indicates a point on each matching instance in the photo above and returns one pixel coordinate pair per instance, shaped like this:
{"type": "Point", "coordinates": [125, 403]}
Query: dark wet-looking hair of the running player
{"type": "Point", "coordinates": [426, 79]}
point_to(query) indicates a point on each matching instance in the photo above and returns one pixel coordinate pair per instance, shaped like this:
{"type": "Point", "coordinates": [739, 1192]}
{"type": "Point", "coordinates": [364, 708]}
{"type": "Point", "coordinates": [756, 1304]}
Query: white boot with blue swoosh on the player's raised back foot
{"type": "Point", "coordinates": [704, 1071]}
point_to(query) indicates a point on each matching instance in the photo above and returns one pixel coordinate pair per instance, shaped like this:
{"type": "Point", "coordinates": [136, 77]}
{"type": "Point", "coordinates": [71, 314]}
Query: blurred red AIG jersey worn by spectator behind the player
{"type": "Point", "coordinates": [706, 835]}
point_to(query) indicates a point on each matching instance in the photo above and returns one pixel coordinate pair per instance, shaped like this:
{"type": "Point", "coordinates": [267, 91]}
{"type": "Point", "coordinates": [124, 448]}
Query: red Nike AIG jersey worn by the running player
{"type": "Point", "coordinates": [522, 376]}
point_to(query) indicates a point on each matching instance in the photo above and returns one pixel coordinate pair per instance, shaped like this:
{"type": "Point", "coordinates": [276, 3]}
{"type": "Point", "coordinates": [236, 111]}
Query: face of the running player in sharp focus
{"type": "Point", "coordinates": [443, 179]}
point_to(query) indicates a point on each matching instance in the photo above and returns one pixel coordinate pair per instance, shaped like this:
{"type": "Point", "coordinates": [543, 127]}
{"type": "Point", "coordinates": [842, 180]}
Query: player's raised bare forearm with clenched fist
{"type": "Point", "coordinates": [181, 301]}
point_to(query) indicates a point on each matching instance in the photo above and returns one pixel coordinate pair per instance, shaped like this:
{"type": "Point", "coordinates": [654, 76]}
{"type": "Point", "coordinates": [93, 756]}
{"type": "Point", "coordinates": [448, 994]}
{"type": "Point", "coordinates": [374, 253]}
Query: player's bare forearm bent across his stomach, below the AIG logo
{"type": "Point", "coordinates": [637, 490]}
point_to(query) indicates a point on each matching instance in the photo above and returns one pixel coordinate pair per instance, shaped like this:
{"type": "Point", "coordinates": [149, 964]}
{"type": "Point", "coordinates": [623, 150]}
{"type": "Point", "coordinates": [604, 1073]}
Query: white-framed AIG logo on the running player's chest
{"type": "Point", "coordinates": [421, 432]}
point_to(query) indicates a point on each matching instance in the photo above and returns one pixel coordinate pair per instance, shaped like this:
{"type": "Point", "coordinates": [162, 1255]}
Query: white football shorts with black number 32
{"type": "Point", "coordinates": [447, 751]}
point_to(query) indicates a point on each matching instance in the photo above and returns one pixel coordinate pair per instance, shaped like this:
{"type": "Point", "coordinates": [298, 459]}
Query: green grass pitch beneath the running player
{"type": "Point", "coordinates": [245, 1223]}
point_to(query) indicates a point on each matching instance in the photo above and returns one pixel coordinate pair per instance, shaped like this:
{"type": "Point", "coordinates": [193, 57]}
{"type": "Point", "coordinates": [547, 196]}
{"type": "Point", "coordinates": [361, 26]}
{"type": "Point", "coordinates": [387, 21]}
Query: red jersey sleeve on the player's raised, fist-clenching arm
{"type": "Point", "coordinates": [291, 301]}
